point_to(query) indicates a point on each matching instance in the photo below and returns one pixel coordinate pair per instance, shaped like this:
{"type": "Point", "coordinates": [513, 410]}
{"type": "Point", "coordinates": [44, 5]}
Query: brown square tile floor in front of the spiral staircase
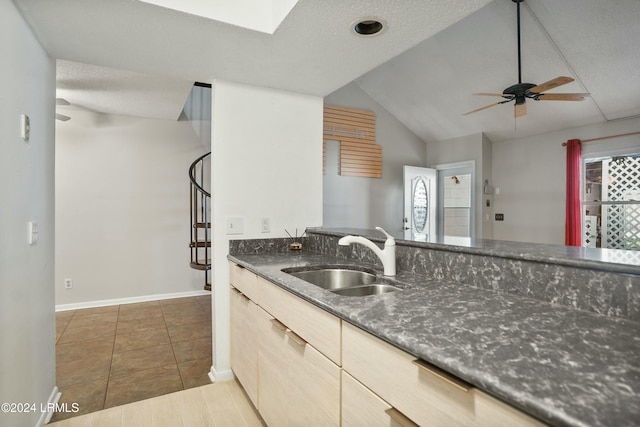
{"type": "Point", "coordinates": [110, 356]}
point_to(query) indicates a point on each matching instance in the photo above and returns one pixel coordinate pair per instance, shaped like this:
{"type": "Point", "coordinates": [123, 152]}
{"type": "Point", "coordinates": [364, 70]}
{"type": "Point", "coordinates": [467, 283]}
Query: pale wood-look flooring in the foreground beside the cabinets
{"type": "Point", "coordinates": [220, 404]}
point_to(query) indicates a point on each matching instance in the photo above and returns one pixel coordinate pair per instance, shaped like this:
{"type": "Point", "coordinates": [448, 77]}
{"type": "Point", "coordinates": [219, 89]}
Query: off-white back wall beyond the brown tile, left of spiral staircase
{"type": "Point", "coordinates": [122, 207]}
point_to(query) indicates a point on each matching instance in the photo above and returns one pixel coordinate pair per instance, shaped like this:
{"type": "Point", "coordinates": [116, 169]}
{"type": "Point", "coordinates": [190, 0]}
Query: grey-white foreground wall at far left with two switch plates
{"type": "Point", "coordinates": [27, 322]}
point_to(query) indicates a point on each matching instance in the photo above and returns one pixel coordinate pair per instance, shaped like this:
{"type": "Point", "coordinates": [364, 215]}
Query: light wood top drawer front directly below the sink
{"type": "Point", "coordinates": [314, 325]}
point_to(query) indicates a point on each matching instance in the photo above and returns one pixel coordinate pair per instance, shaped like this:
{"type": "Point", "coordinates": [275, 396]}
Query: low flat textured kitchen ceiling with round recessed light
{"type": "Point", "coordinates": [313, 51]}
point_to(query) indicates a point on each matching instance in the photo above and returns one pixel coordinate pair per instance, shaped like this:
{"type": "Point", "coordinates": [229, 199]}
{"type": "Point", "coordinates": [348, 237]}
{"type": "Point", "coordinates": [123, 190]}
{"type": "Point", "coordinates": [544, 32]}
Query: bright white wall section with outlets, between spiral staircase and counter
{"type": "Point", "coordinates": [267, 162]}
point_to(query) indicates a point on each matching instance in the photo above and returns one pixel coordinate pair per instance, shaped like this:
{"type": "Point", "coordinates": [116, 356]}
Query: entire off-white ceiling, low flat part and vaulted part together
{"type": "Point", "coordinates": [424, 68]}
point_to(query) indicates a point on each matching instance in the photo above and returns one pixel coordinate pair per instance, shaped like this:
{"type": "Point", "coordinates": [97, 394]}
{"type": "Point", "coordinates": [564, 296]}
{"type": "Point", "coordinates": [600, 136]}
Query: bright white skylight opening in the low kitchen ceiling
{"type": "Point", "coordinates": [259, 15]}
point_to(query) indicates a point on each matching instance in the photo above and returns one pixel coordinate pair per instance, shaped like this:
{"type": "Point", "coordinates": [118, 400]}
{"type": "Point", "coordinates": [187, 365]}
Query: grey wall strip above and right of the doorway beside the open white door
{"type": "Point", "coordinates": [477, 148]}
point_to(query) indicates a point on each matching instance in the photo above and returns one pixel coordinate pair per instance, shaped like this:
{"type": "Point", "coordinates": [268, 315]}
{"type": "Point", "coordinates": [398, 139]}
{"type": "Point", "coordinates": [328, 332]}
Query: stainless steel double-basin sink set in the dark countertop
{"type": "Point", "coordinates": [343, 281]}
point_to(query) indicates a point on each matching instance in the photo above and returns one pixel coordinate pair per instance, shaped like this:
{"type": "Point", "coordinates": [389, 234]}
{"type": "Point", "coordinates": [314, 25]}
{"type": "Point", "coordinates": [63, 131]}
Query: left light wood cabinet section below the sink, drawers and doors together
{"type": "Point", "coordinates": [295, 383]}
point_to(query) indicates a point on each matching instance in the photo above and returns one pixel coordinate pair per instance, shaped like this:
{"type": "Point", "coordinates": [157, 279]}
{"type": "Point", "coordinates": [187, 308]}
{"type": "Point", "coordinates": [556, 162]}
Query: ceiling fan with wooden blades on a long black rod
{"type": "Point", "coordinates": [521, 91]}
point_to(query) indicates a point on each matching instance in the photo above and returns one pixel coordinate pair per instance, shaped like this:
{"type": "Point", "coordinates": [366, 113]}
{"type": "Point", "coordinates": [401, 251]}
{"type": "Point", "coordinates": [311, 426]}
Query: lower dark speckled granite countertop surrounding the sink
{"type": "Point", "coordinates": [565, 367]}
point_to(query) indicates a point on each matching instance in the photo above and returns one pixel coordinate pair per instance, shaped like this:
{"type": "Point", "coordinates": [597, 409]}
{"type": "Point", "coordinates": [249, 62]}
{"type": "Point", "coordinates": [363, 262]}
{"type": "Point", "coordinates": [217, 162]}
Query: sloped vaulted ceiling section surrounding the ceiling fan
{"type": "Point", "coordinates": [596, 42]}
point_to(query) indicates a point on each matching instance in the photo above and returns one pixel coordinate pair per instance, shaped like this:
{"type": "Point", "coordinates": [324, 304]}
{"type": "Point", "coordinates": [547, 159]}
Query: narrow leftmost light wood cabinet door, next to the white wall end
{"type": "Point", "coordinates": [244, 343]}
